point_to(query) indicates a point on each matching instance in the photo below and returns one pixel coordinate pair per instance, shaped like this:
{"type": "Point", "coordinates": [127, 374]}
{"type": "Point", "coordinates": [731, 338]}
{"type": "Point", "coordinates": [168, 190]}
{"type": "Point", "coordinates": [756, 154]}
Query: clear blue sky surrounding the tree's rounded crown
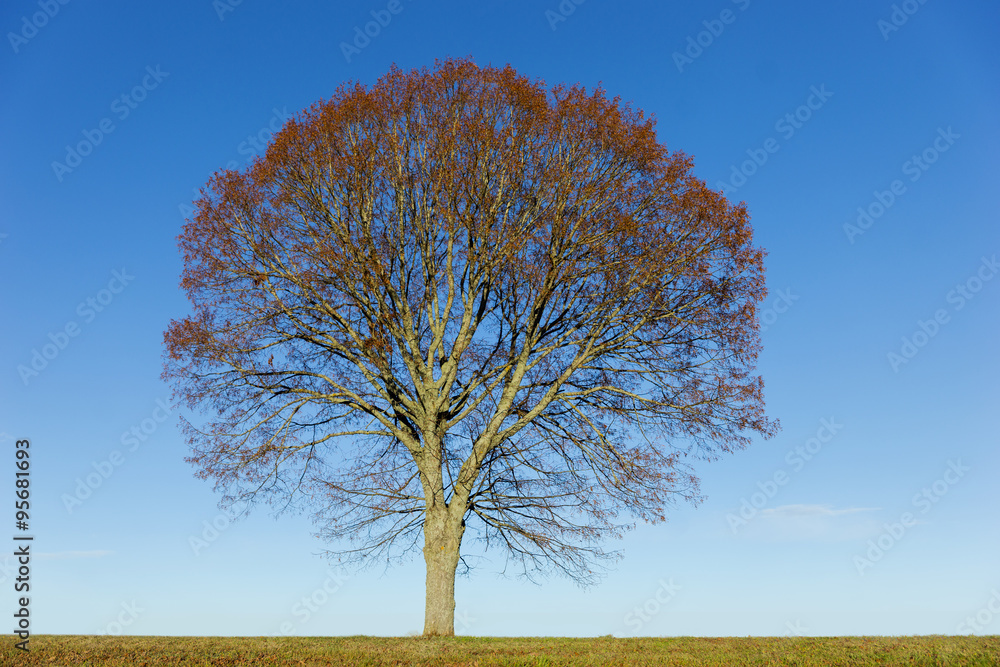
{"type": "Point", "coordinates": [861, 135]}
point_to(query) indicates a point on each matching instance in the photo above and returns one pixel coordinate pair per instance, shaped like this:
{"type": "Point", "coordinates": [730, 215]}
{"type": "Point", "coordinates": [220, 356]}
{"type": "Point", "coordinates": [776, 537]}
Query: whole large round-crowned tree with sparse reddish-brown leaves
{"type": "Point", "coordinates": [459, 299]}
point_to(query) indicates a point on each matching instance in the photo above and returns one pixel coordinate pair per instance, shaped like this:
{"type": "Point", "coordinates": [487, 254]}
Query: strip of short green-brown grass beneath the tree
{"type": "Point", "coordinates": [80, 650]}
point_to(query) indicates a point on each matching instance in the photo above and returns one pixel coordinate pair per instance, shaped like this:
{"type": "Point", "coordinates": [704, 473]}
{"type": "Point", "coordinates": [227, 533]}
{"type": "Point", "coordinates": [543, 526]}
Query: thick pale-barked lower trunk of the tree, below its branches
{"type": "Point", "coordinates": [442, 538]}
